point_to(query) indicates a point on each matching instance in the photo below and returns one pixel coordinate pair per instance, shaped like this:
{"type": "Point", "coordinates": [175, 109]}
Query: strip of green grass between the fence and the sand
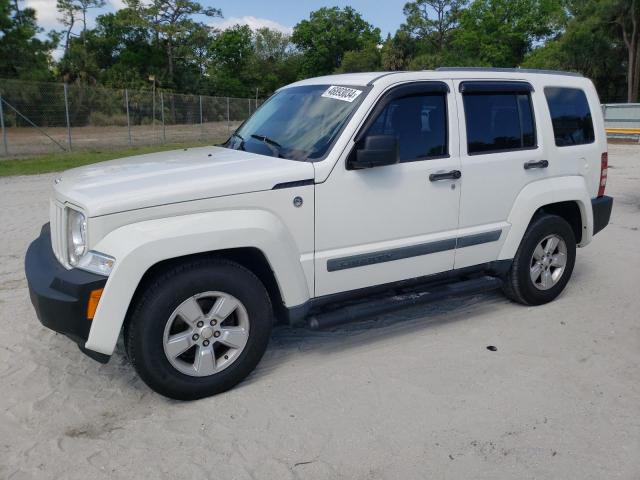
{"type": "Point", "coordinates": [63, 161]}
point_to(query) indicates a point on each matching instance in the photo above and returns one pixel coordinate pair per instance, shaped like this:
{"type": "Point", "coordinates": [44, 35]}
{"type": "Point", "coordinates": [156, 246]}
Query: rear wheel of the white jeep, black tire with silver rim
{"type": "Point", "coordinates": [544, 262]}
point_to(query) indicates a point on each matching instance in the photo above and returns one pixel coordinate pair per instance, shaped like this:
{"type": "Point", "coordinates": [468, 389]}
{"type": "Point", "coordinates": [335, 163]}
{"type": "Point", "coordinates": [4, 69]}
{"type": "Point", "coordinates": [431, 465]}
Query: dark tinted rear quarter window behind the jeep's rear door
{"type": "Point", "coordinates": [570, 116]}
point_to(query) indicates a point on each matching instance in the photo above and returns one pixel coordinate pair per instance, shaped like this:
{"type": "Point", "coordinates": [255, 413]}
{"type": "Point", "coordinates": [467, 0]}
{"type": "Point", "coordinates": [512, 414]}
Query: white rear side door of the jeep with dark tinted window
{"type": "Point", "coordinates": [501, 153]}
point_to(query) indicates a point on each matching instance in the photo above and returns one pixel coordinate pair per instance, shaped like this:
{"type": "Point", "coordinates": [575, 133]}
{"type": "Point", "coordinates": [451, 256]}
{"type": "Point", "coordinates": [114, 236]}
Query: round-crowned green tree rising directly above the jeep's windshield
{"type": "Point", "coordinates": [328, 34]}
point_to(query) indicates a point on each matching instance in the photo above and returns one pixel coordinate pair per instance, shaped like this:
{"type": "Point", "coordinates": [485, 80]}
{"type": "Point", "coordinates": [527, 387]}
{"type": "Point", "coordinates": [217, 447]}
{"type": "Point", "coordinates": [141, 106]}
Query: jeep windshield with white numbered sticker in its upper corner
{"type": "Point", "coordinates": [298, 123]}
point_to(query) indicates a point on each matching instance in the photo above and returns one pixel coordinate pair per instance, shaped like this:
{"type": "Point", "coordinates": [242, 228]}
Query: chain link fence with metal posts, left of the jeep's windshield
{"type": "Point", "coordinates": [38, 118]}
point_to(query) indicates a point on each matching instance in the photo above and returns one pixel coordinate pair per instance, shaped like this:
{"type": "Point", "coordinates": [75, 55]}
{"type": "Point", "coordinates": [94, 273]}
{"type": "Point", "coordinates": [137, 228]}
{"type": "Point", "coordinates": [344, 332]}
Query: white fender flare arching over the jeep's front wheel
{"type": "Point", "coordinates": [139, 246]}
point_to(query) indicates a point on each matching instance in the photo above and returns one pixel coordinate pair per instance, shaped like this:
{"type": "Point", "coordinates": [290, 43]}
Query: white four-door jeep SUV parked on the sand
{"type": "Point", "coordinates": [341, 197]}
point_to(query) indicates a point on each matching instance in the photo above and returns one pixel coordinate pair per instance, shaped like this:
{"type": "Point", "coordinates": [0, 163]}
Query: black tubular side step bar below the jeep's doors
{"type": "Point", "coordinates": [389, 303]}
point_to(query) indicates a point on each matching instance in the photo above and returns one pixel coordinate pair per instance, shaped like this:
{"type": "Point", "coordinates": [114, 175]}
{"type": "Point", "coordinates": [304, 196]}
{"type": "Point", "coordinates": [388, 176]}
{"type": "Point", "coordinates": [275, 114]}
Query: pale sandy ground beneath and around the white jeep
{"type": "Point", "coordinates": [411, 395]}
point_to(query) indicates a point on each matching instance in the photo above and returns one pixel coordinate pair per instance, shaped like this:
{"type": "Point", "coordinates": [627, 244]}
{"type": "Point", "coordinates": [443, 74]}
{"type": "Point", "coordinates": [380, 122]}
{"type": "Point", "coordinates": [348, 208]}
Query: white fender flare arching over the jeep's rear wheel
{"type": "Point", "coordinates": [545, 192]}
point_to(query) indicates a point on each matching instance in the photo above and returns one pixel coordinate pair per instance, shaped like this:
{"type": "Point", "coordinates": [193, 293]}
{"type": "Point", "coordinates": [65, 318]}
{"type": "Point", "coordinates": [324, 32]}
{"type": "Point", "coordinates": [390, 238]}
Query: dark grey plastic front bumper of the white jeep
{"type": "Point", "coordinates": [60, 296]}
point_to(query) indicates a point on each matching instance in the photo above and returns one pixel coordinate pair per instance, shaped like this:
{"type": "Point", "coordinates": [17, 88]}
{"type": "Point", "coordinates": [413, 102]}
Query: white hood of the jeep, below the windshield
{"type": "Point", "coordinates": [175, 176]}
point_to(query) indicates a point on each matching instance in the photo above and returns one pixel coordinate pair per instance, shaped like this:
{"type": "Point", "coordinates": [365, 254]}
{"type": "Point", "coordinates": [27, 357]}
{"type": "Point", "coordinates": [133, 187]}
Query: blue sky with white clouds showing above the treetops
{"type": "Point", "coordinates": [278, 14]}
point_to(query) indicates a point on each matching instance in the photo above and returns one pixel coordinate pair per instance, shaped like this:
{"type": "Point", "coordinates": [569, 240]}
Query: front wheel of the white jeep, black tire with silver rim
{"type": "Point", "coordinates": [199, 329]}
